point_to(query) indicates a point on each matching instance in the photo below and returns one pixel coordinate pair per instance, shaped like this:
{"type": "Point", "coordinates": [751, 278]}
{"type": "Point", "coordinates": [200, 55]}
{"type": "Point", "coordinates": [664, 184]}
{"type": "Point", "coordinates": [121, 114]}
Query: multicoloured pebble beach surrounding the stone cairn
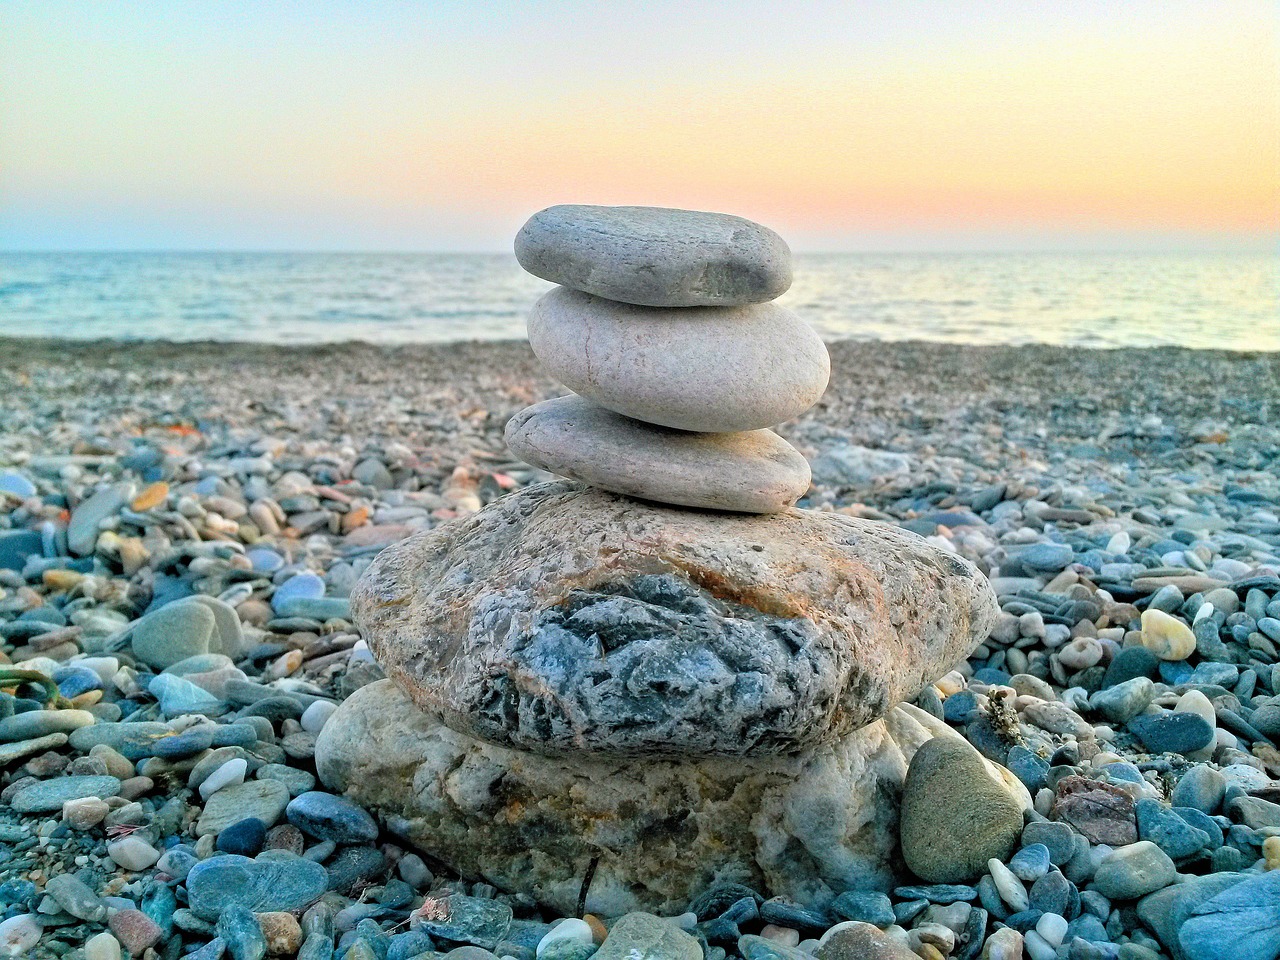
{"type": "Point", "coordinates": [181, 527]}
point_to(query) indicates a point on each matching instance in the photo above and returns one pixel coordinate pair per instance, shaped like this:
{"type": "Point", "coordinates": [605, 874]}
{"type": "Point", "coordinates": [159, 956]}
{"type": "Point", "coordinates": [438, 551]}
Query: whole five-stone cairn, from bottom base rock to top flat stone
{"type": "Point", "coordinates": [657, 676]}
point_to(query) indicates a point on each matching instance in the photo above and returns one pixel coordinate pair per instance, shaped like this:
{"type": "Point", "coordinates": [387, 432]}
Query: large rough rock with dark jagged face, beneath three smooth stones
{"type": "Point", "coordinates": [564, 619]}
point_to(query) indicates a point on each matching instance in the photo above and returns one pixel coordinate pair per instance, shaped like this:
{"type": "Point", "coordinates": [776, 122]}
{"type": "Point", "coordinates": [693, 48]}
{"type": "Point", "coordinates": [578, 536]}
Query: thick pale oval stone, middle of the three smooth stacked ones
{"type": "Point", "coordinates": [714, 369]}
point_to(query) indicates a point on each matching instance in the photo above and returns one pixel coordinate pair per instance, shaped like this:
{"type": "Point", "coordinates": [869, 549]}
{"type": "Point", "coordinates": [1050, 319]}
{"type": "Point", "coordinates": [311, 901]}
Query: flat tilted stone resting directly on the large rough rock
{"type": "Point", "coordinates": [749, 473]}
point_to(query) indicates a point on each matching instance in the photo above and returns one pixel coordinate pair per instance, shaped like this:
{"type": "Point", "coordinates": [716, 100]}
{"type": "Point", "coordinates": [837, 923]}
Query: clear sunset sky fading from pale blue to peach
{"type": "Point", "coordinates": [442, 126]}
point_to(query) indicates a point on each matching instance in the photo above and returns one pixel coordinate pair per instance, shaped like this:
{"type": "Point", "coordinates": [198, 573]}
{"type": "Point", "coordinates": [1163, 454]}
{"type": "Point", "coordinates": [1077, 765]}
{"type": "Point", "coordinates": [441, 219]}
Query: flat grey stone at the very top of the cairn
{"type": "Point", "coordinates": [656, 257]}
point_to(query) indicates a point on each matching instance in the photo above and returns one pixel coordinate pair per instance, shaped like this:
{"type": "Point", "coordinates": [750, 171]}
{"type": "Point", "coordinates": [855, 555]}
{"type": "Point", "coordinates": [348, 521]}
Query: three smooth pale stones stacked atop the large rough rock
{"type": "Point", "coordinates": [664, 327]}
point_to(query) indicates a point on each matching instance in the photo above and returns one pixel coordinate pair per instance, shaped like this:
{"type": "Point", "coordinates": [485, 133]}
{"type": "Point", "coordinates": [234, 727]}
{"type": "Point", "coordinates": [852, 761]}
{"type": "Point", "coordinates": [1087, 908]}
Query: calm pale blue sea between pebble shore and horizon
{"type": "Point", "coordinates": [1203, 301]}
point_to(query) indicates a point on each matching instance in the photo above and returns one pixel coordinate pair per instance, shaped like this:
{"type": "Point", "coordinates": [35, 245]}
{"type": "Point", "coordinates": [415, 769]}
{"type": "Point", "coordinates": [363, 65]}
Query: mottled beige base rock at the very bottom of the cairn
{"type": "Point", "coordinates": [662, 830]}
